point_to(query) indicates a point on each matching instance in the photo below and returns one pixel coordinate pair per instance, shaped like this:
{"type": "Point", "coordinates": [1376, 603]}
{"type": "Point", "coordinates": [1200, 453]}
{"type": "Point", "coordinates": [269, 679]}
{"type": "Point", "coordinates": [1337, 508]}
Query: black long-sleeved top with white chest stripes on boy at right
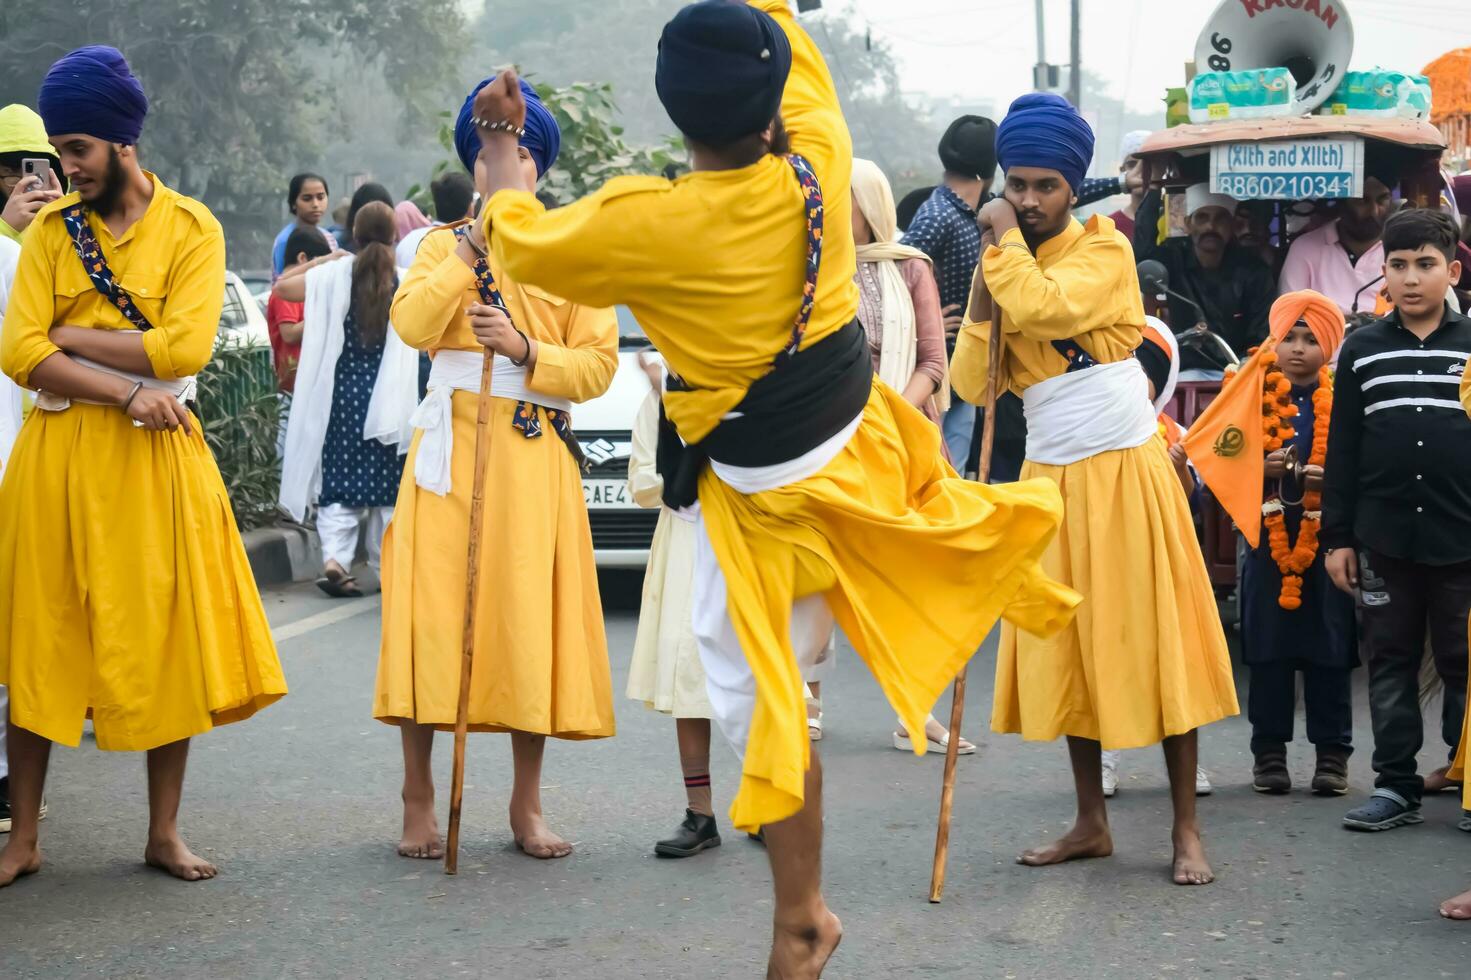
{"type": "Point", "coordinates": [1398, 477]}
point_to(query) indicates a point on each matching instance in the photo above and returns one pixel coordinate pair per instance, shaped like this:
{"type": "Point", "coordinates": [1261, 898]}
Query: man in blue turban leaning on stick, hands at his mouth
{"type": "Point", "coordinates": [1145, 660]}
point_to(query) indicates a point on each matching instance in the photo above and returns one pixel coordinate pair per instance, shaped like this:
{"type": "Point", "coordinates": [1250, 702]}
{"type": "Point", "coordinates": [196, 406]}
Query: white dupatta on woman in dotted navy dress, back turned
{"type": "Point", "coordinates": [395, 392]}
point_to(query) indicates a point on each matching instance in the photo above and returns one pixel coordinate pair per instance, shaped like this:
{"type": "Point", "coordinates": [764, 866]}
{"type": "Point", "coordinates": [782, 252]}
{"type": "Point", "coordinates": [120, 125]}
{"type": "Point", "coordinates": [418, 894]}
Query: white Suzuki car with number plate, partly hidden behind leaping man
{"type": "Point", "coordinates": [621, 529]}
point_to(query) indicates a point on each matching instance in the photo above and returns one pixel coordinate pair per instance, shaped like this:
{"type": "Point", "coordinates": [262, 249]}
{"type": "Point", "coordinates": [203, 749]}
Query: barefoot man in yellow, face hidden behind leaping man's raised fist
{"type": "Point", "coordinates": [539, 656]}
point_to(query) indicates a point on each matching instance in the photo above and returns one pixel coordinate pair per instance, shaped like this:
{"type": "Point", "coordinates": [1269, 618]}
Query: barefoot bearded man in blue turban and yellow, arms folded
{"type": "Point", "coordinates": [126, 592]}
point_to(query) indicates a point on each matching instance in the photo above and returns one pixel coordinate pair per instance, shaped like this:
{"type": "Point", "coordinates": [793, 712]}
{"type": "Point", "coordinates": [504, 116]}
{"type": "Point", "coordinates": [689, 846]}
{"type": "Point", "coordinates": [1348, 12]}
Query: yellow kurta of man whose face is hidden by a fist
{"type": "Point", "coordinates": [541, 653]}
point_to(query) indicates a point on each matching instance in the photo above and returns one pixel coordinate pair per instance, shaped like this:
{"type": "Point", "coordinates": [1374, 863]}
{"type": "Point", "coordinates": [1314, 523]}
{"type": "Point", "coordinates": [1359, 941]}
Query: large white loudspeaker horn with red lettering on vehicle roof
{"type": "Point", "coordinates": [1311, 39]}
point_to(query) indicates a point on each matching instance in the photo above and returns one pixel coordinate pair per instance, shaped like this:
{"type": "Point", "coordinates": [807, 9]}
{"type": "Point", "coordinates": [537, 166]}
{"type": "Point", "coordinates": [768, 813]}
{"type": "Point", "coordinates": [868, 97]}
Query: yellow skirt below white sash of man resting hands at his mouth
{"type": "Point", "coordinates": [1147, 657]}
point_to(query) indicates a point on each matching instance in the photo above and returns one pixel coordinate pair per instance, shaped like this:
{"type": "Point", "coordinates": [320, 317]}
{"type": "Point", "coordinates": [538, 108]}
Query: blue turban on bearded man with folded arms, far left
{"type": "Point", "coordinates": [93, 92]}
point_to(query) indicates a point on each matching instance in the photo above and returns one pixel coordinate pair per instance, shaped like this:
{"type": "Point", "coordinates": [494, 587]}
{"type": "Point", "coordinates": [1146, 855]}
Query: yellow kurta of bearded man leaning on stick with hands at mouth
{"type": "Point", "coordinates": [1147, 657]}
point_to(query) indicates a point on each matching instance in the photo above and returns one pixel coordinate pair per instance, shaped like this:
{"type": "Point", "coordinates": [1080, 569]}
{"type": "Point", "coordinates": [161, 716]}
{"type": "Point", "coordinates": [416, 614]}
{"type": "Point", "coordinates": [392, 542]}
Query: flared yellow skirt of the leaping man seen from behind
{"type": "Point", "coordinates": [916, 563]}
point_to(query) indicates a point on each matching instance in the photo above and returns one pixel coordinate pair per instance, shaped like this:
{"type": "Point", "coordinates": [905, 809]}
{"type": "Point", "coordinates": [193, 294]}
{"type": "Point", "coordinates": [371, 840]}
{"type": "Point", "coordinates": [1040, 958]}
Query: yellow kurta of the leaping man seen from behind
{"type": "Point", "coordinates": [916, 564]}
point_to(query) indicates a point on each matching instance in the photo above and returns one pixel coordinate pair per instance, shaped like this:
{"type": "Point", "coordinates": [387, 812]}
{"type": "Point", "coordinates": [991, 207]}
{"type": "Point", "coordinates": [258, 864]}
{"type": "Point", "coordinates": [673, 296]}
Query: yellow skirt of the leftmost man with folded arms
{"type": "Point", "coordinates": [124, 588]}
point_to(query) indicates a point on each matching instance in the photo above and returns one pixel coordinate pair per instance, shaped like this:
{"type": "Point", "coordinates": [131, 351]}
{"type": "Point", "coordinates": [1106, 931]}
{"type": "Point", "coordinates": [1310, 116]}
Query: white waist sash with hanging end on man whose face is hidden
{"type": "Point", "coordinates": [460, 372]}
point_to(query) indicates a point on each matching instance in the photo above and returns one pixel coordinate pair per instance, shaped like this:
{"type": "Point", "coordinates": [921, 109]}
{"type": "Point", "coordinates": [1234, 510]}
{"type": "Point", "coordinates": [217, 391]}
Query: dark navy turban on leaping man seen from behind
{"type": "Point", "coordinates": [722, 71]}
